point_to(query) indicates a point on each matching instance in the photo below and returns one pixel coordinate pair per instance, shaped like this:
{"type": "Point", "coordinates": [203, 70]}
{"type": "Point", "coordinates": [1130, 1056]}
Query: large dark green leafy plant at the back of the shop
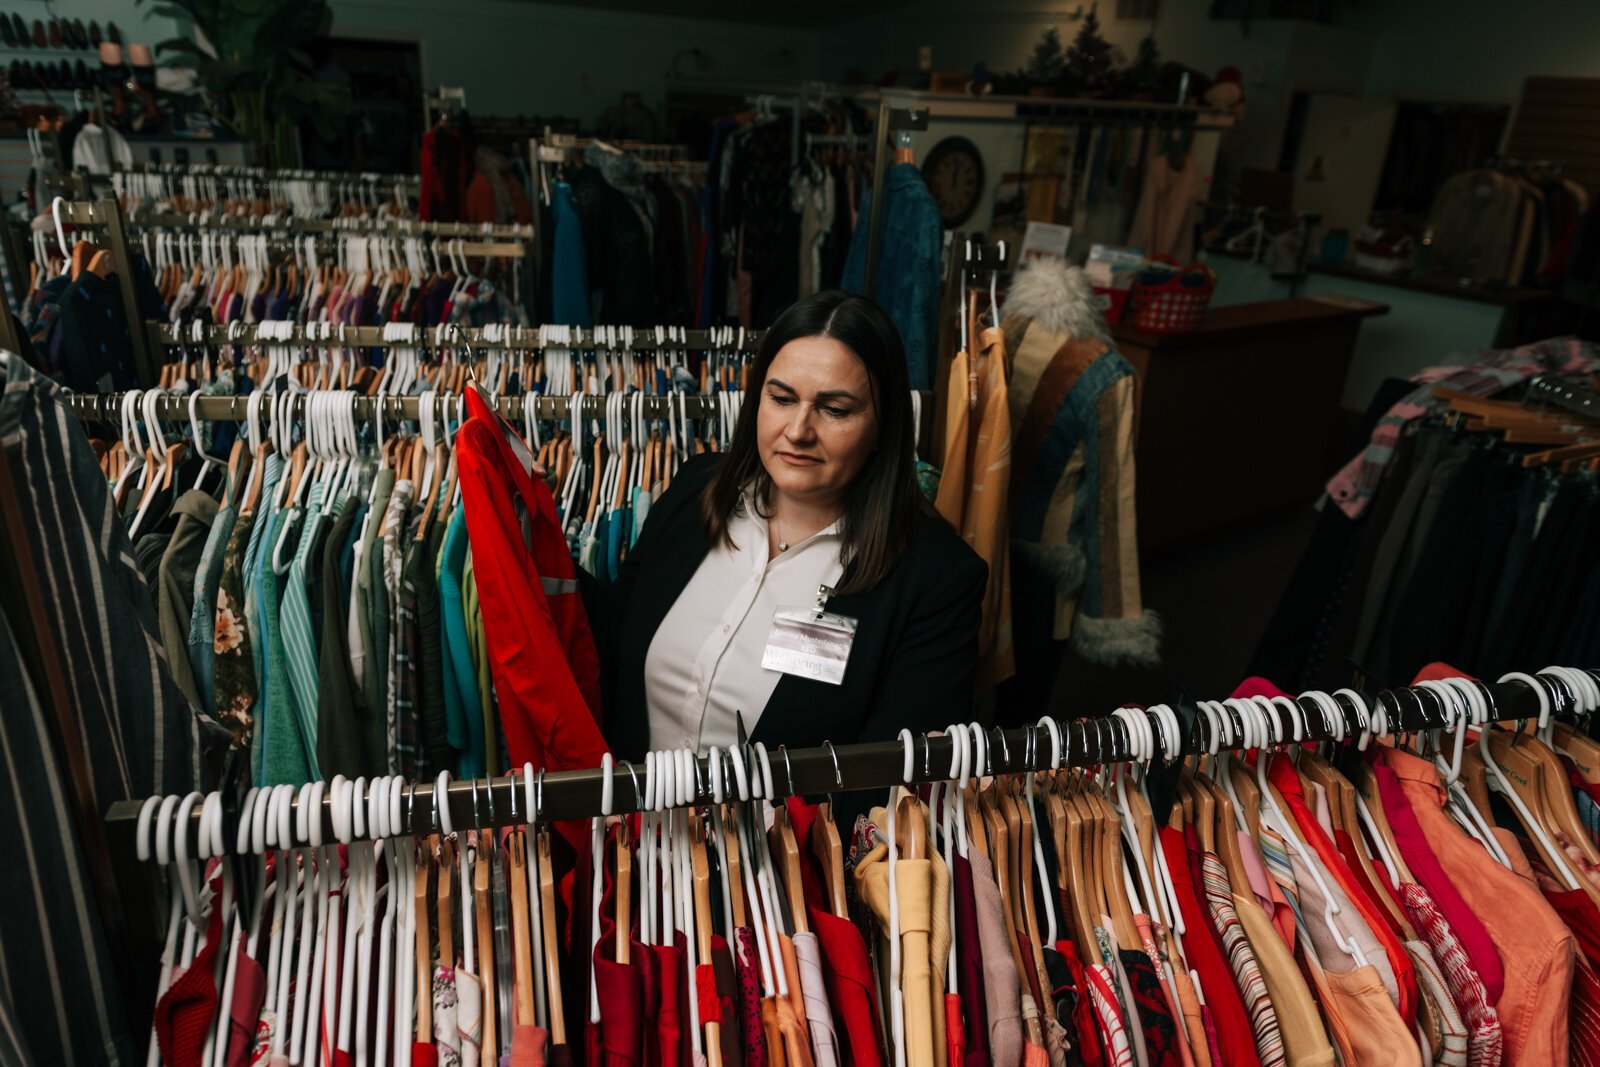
{"type": "Point", "coordinates": [254, 65]}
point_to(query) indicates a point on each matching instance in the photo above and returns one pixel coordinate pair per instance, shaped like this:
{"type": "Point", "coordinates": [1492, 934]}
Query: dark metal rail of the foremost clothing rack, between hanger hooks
{"type": "Point", "coordinates": [862, 767]}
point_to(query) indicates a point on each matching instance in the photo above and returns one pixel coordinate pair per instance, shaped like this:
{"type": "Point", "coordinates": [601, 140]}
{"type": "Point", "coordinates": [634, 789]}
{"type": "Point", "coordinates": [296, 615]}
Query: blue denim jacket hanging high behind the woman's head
{"type": "Point", "coordinates": [910, 281]}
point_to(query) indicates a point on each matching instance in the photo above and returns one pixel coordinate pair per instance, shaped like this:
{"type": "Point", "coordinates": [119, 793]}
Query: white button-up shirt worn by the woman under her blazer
{"type": "Point", "coordinates": [705, 663]}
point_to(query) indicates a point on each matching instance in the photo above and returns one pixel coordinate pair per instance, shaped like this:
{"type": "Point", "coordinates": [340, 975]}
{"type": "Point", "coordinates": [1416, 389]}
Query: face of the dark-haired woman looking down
{"type": "Point", "coordinates": [817, 425]}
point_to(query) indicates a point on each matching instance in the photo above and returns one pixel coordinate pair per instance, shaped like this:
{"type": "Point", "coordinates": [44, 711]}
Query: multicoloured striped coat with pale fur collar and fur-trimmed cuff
{"type": "Point", "coordinates": [1073, 434]}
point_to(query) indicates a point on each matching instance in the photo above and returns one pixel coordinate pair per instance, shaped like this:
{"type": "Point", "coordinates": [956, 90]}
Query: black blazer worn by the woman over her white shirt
{"type": "Point", "coordinates": [913, 663]}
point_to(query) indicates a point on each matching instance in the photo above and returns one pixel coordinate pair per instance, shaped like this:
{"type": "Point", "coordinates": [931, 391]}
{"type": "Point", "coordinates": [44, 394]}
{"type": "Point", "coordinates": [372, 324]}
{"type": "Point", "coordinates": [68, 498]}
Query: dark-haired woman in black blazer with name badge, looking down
{"type": "Point", "coordinates": [817, 490]}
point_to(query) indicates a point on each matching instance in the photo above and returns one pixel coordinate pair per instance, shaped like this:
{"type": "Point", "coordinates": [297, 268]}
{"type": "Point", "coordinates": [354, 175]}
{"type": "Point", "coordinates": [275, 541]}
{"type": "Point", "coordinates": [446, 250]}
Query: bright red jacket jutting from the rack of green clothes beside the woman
{"type": "Point", "coordinates": [542, 652]}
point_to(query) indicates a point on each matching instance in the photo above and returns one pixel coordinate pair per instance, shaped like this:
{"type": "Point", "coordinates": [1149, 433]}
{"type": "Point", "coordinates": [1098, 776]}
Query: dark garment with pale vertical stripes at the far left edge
{"type": "Point", "coordinates": [60, 997]}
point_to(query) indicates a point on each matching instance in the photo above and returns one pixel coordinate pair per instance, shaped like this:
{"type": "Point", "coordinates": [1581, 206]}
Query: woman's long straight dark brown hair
{"type": "Point", "coordinates": [882, 503]}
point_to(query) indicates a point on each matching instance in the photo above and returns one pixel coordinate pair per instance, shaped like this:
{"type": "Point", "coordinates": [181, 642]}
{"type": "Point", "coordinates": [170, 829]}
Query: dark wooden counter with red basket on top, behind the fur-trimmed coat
{"type": "Point", "coordinates": [1236, 417]}
